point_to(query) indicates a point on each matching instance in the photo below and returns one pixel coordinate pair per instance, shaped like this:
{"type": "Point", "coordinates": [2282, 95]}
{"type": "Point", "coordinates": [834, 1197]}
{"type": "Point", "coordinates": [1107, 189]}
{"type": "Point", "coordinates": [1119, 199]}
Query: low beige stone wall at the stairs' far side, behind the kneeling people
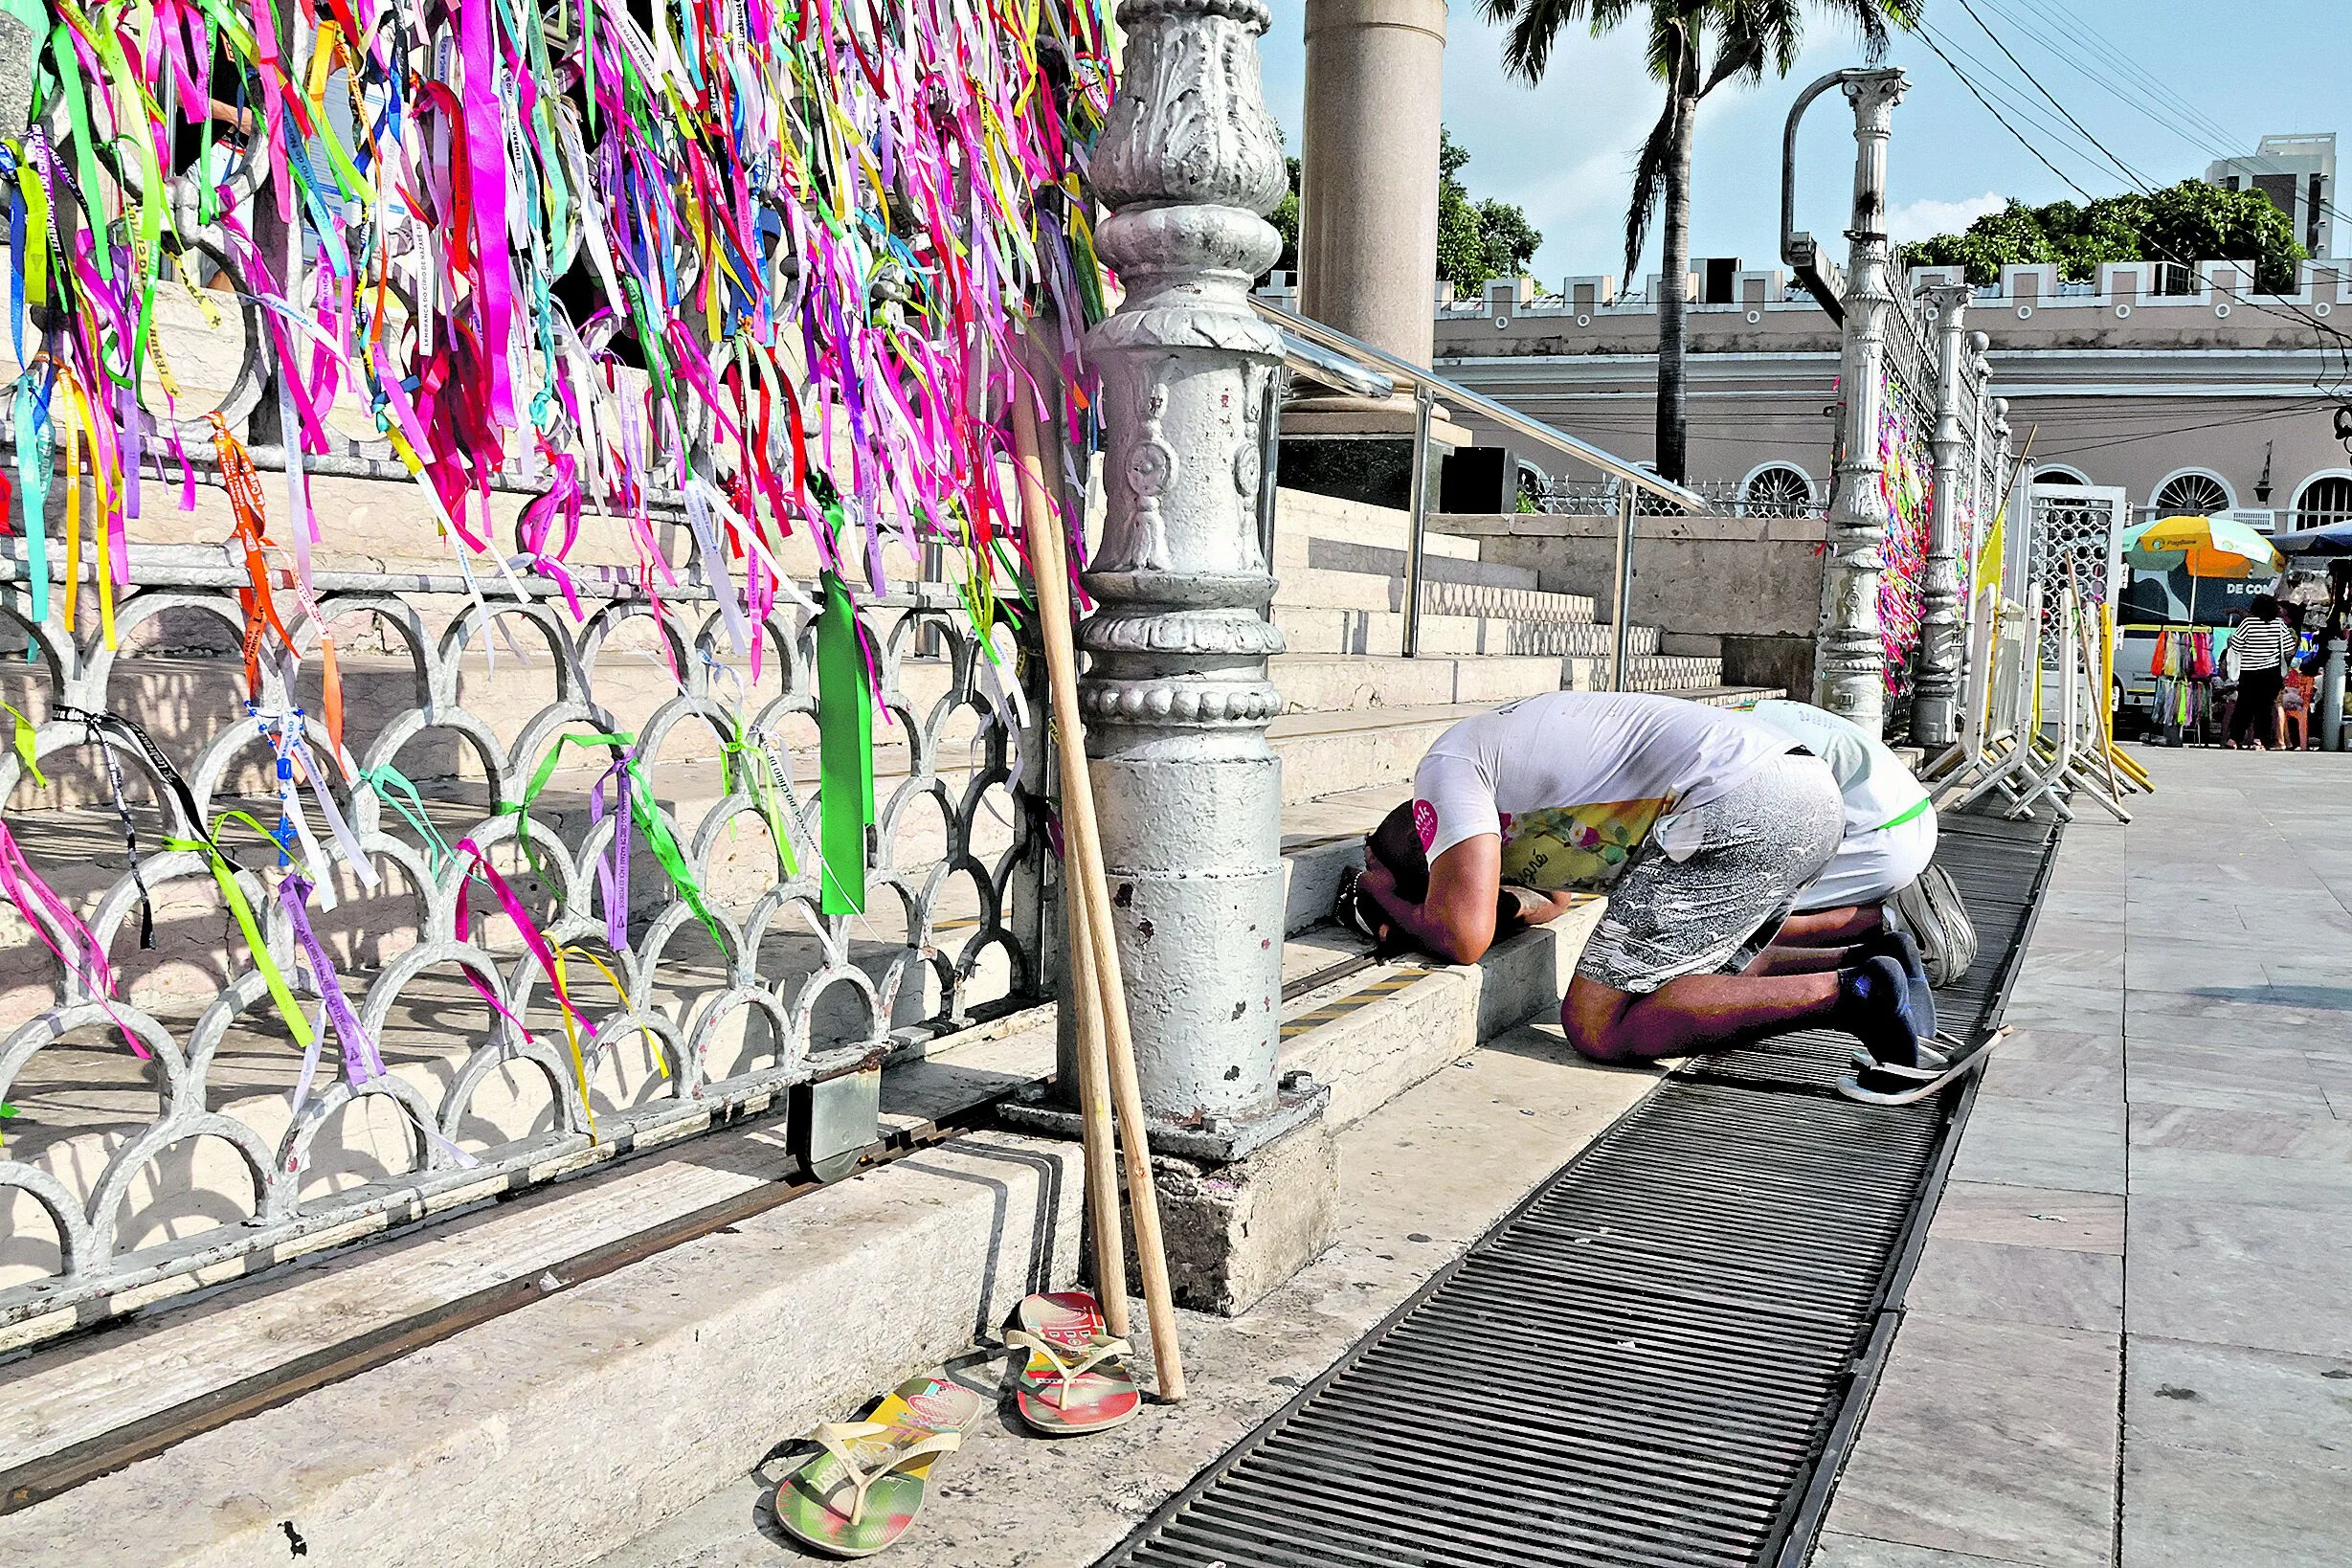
{"type": "Point", "coordinates": [1739, 587]}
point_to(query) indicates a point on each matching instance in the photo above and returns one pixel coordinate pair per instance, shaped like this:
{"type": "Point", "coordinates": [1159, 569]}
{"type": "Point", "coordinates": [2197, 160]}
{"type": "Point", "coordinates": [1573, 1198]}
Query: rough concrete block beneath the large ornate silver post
{"type": "Point", "coordinates": [1238, 1233]}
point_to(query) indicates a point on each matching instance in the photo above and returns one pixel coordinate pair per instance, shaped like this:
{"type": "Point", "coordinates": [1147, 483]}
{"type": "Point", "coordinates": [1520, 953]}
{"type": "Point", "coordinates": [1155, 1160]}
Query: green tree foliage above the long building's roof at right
{"type": "Point", "coordinates": [2189, 222]}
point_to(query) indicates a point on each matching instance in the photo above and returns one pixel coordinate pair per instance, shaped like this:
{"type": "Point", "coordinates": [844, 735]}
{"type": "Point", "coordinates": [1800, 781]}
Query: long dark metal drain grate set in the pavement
{"type": "Point", "coordinates": [1638, 1367]}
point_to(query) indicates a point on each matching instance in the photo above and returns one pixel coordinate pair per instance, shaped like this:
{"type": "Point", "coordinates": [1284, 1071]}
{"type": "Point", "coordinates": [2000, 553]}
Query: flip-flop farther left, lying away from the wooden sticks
{"type": "Point", "coordinates": [867, 1487]}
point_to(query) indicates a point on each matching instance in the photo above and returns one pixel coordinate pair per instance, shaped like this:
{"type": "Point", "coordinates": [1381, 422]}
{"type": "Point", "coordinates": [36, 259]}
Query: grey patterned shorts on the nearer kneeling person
{"type": "Point", "coordinates": [1716, 911]}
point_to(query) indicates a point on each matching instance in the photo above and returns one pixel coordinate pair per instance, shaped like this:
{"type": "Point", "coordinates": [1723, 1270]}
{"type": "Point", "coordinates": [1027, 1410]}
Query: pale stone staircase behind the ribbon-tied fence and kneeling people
{"type": "Point", "coordinates": [876, 1275]}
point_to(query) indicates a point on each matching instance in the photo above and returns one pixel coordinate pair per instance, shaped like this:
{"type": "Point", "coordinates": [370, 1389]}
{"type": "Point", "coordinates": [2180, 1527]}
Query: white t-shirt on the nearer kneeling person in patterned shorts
{"type": "Point", "coordinates": [1575, 782]}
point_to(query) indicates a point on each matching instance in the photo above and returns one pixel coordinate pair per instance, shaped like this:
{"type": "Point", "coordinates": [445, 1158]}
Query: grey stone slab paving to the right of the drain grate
{"type": "Point", "coordinates": [2130, 1341]}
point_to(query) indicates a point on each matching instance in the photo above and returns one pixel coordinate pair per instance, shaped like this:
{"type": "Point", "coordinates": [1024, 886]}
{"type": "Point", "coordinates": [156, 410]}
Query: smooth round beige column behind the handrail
{"type": "Point", "coordinates": [1368, 203]}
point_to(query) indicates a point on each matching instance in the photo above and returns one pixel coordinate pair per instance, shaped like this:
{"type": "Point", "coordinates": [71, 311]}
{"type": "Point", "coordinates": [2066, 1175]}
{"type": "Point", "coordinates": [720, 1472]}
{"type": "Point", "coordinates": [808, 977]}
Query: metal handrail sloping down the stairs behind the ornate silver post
{"type": "Point", "coordinates": [1358, 366]}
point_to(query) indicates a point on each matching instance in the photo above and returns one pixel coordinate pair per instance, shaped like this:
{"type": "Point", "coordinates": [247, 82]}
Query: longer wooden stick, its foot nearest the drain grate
{"type": "Point", "coordinates": [1097, 956]}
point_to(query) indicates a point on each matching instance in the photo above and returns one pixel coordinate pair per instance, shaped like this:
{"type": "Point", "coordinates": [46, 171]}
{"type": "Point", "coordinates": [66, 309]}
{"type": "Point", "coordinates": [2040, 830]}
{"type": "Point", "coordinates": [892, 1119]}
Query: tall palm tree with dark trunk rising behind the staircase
{"type": "Point", "coordinates": [1742, 36]}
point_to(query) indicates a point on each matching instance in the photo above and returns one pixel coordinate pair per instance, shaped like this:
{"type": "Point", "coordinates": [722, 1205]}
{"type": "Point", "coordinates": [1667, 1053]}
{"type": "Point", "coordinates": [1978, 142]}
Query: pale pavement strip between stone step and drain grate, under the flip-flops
{"type": "Point", "coordinates": [1419, 1181]}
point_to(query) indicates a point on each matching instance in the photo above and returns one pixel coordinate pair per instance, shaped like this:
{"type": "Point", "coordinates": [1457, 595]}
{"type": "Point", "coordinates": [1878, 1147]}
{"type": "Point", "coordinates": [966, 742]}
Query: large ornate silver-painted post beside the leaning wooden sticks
{"type": "Point", "coordinates": [1177, 695]}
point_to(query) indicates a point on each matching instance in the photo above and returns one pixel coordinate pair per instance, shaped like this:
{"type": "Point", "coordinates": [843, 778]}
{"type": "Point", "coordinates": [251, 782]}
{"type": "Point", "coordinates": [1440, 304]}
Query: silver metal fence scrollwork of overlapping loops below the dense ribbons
{"type": "Point", "coordinates": [218, 1144]}
